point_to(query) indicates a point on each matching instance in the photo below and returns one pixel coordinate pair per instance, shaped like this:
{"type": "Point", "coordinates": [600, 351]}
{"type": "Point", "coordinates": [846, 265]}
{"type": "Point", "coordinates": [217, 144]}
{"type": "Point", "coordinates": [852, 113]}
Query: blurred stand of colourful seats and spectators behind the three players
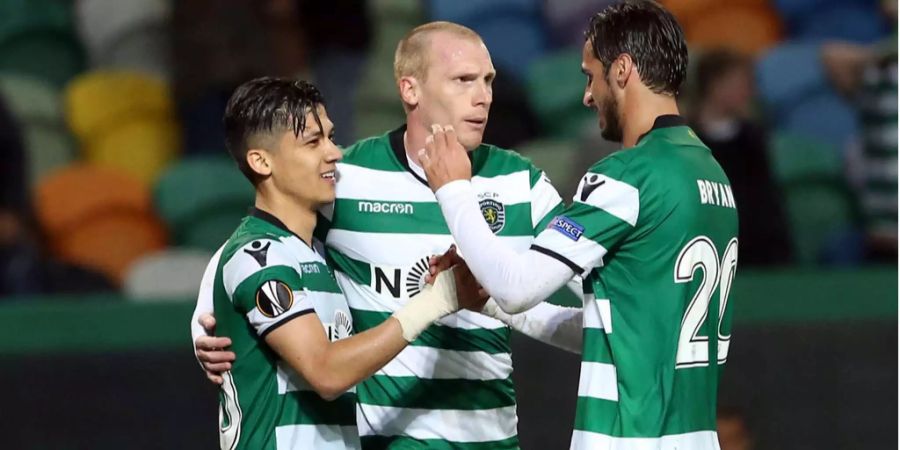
{"type": "Point", "coordinates": [115, 176]}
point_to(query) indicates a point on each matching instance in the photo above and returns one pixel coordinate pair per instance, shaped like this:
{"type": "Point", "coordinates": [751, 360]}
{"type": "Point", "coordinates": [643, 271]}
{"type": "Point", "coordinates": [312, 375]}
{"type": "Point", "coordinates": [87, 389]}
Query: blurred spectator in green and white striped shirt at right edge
{"type": "Point", "coordinates": [868, 75]}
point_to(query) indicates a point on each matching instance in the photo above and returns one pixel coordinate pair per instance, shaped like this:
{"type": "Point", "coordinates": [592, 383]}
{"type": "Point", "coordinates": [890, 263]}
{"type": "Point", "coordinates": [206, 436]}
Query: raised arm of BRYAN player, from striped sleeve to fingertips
{"type": "Point", "coordinates": [520, 280]}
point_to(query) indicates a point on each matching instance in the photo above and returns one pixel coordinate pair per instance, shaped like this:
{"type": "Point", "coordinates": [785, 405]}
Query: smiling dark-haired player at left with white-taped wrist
{"type": "Point", "coordinates": [291, 386]}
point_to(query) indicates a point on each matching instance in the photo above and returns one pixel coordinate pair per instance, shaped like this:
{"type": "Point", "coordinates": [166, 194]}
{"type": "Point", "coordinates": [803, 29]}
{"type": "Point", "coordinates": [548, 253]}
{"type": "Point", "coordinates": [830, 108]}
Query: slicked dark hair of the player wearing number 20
{"type": "Point", "coordinates": [649, 34]}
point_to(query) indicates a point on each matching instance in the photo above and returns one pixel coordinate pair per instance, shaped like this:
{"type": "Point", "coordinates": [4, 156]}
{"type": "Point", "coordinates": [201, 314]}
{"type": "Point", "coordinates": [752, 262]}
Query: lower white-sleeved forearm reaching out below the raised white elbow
{"type": "Point", "coordinates": [556, 325]}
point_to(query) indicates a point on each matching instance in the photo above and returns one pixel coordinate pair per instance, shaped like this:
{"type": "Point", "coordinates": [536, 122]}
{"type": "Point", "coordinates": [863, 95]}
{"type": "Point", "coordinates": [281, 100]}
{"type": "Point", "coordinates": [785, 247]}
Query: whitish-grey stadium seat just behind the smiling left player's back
{"type": "Point", "coordinates": [171, 274]}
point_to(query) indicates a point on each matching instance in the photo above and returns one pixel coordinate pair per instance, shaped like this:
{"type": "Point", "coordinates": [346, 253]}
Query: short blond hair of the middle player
{"type": "Point", "coordinates": [411, 57]}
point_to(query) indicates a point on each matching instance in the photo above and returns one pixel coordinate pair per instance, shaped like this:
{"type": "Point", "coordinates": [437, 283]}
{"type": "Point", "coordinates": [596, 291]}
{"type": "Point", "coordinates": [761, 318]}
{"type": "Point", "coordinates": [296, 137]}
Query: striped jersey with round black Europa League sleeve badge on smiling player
{"type": "Point", "coordinates": [266, 276]}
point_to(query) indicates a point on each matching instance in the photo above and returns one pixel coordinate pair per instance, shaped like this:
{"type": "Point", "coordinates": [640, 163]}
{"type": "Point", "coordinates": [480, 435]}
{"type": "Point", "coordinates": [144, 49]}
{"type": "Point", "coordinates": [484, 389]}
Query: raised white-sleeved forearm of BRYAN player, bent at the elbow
{"type": "Point", "coordinates": [518, 281]}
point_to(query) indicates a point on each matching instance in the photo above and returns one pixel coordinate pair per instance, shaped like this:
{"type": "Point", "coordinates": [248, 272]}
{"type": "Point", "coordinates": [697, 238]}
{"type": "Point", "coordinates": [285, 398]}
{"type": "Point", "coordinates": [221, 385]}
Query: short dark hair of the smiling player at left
{"type": "Point", "coordinates": [267, 106]}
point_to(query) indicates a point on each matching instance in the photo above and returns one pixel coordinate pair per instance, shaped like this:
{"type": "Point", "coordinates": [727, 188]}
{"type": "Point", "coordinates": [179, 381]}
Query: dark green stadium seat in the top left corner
{"type": "Point", "coordinates": [37, 38]}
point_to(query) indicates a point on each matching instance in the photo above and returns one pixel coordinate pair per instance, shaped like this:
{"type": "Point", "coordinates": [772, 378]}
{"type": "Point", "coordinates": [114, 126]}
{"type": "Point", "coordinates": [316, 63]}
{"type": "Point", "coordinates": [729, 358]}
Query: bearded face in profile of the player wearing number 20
{"type": "Point", "coordinates": [598, 96]}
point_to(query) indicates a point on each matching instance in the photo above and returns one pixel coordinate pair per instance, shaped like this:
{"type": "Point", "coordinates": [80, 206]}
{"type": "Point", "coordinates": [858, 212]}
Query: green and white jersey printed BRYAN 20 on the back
{"type": "Point", "coordinates": [654, 230]}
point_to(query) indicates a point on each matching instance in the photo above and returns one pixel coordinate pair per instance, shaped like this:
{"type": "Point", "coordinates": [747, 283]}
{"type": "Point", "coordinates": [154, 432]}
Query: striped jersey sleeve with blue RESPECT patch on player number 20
{"type": "Point", "coordinates": [603, 213]}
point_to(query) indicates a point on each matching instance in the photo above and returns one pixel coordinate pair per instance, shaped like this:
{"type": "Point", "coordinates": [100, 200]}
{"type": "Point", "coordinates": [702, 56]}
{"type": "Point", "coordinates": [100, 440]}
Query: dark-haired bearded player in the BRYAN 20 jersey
{"type": "Point", "coordinates": [653, 231]}
